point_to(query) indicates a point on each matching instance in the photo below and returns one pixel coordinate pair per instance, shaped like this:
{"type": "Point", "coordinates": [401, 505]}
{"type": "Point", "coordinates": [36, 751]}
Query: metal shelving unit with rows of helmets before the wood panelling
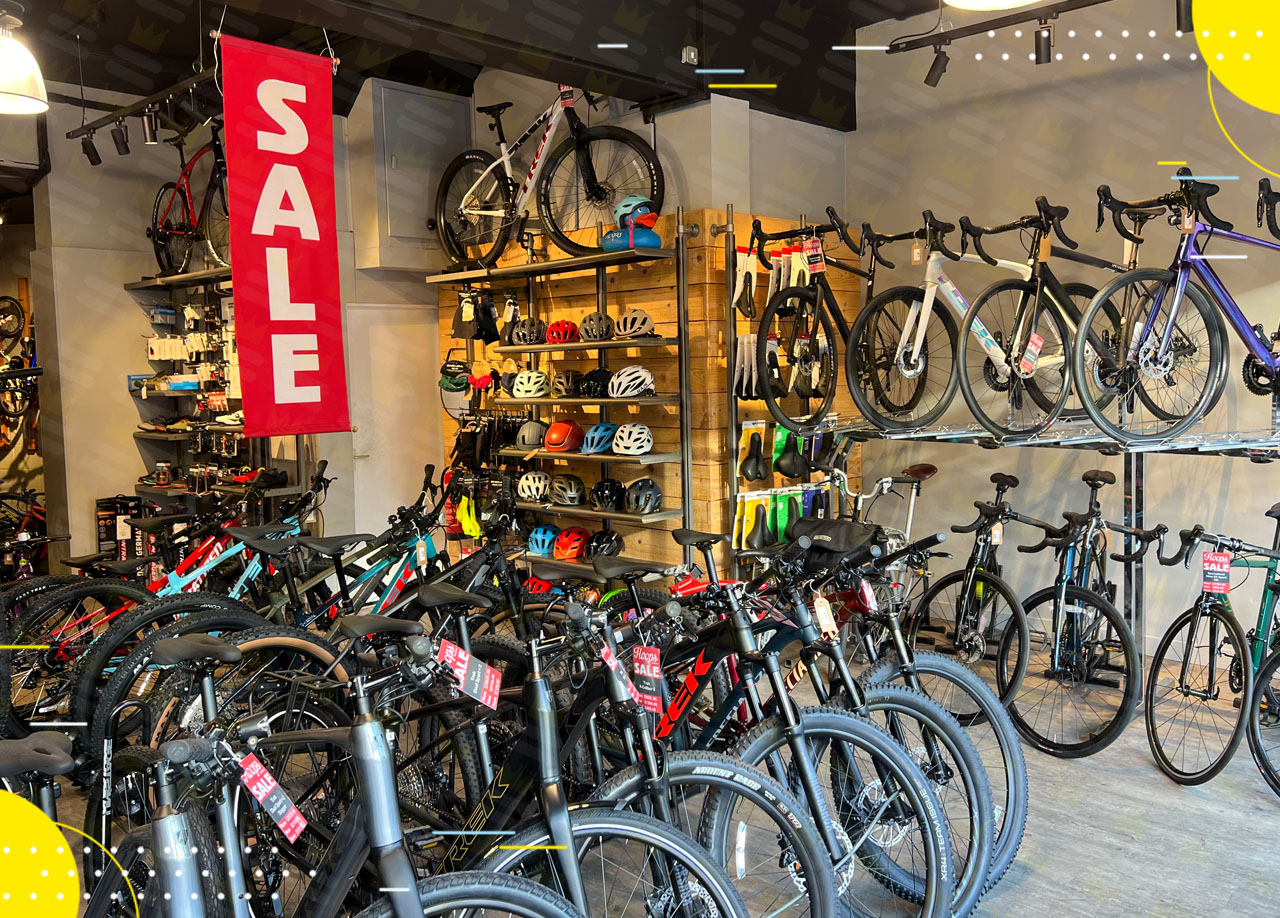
{"type": "Point", "coordinates": [636, 336]}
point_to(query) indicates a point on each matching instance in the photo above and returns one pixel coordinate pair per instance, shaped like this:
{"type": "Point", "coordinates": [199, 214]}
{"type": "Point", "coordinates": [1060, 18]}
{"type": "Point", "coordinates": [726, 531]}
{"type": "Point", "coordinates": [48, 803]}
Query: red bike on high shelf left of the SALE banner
{"type": "Point", "coordinates": [180, 218]}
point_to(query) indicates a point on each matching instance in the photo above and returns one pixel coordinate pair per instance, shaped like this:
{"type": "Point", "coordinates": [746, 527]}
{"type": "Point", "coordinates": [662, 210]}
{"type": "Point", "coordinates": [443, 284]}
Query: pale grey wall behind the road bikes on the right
{"type": "Point", "coordinates": [993, 136]}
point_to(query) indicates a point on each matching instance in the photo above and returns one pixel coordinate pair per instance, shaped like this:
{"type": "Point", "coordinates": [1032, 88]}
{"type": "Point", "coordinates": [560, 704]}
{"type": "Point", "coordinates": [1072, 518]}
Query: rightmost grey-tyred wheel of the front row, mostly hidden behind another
{"type": "Point", "coordinates": [977, 709]}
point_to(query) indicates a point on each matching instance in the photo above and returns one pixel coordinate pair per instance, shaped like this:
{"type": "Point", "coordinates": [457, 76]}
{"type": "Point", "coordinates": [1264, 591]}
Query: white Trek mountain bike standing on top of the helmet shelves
{"type": "Point", "coordinates": [479, 204]}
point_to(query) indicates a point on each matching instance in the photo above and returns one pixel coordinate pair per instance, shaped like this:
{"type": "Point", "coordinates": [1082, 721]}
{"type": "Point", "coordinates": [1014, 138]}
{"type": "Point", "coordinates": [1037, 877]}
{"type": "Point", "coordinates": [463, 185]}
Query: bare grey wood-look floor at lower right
{"type": "Point", "coordinates": [1110, 837]}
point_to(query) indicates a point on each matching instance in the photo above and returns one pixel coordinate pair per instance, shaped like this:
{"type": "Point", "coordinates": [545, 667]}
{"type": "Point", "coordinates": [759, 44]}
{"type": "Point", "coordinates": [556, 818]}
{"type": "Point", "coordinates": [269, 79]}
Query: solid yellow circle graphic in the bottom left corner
{"type": "Point", "coordinates": [38, 869]}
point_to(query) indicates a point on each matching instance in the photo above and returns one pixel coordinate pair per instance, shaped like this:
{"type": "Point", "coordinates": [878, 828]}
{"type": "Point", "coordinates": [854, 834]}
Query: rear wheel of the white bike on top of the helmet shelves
{"type": "Point", "coordinates": [473, 209]}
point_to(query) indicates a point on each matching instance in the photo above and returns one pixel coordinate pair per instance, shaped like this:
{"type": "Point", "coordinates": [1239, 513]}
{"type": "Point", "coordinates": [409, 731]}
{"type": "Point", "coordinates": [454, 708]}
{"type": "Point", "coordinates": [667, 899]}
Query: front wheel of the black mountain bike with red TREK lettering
{"type": "Point", "coordinates": [880, 805]}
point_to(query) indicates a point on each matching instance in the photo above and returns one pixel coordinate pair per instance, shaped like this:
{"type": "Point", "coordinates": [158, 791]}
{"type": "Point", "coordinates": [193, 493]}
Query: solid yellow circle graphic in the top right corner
{"type": "Point", "coordinates": [1240, 42]}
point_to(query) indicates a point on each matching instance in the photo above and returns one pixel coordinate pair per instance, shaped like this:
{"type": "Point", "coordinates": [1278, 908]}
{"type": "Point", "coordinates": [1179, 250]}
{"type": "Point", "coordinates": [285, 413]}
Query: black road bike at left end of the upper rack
{"type": "Point", "coordinates": [797, 336]}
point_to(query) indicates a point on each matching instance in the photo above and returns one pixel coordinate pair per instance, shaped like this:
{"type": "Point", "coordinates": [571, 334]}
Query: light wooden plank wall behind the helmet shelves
{"type": "Point", "coordinates": [652, 287]}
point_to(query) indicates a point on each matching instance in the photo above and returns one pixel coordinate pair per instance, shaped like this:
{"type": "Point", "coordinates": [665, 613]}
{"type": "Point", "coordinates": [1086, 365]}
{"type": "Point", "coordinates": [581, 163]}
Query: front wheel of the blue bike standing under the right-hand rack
{"type": "Point", "coordinates": [1082, 679]}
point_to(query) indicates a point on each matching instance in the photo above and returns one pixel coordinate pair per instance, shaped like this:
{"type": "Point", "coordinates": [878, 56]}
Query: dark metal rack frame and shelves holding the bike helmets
{"type": "Point", "coordinates": [511, 276]}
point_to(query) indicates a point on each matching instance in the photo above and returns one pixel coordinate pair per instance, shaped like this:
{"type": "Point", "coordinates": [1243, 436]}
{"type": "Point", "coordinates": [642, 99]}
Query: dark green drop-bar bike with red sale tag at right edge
{"type": "Point", "coordinates": [1201, 683]}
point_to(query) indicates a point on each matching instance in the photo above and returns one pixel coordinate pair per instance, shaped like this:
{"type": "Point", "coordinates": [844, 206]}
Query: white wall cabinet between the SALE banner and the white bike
{"type": "Point", "coordinates": [400, 140]}
